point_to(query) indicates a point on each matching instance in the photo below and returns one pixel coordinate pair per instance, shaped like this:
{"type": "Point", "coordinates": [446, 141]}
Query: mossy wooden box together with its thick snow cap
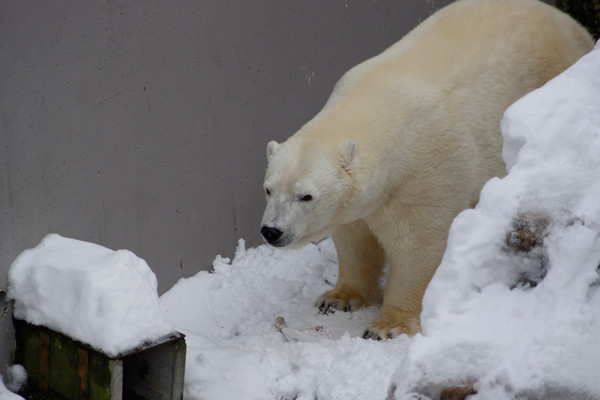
{"type": "Point", "coordinates": [88, 324]}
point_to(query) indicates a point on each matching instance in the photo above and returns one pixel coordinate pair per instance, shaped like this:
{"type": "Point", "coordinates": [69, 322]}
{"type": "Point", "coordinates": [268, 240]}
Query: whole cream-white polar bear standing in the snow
{"type": "Point", "coordinates": [405, 142]}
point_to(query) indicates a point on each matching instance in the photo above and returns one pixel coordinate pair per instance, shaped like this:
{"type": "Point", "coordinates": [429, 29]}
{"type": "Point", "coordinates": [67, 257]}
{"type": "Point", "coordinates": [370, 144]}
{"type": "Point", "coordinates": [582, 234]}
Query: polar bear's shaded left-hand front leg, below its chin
{"type": "Point", "coordinates": [361, 261]}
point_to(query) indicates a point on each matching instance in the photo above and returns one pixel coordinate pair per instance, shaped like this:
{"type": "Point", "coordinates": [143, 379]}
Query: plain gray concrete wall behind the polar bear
{"type": "Point", "coordinates": [143, 124]}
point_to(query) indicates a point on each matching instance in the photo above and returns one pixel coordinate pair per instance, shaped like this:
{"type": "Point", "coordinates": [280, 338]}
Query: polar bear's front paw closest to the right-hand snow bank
{"type": "Point", "coordinates": [392, 324]}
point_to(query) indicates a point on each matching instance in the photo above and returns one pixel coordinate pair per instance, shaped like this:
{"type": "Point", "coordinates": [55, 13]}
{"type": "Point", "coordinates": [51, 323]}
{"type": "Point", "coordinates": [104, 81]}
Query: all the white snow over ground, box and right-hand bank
{"type": "Point", "coordinates": [513, 310]}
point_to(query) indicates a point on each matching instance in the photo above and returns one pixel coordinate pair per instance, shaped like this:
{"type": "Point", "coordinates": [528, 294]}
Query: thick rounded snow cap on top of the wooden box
{"type": "Point", "coordinates": [98, 296]}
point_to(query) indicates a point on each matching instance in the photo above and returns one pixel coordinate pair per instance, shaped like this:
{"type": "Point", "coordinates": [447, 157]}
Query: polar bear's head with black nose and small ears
{"type": "Point", "coordinates": [307, 185]}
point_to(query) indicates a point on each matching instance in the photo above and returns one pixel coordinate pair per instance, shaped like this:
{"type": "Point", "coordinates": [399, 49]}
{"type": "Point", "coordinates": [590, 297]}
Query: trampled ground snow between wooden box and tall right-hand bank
{"type": "Point", "coordinates": [253, 332]}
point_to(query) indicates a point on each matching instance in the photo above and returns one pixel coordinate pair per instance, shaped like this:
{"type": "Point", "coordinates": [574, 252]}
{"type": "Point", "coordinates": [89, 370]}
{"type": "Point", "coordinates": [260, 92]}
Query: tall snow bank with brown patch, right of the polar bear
{"type": "Point", "coordinates": [514, 308]}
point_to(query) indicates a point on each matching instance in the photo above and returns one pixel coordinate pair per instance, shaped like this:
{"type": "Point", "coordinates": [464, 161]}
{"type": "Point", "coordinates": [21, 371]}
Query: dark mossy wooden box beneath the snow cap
{"type": "Point", "coordinates": [61, 368]}
